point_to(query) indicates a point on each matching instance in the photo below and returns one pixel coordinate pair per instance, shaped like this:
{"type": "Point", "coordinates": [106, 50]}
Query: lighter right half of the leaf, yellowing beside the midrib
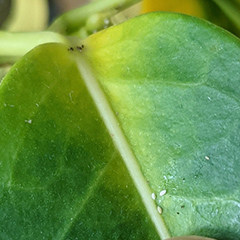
{"type": "Point", "coordinates": [175, 87]}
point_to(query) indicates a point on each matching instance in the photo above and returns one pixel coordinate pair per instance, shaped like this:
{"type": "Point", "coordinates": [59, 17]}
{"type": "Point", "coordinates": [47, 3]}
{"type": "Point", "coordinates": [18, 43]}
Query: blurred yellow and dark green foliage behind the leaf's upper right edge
{"type": "Point", "coordinates": [220, 12]}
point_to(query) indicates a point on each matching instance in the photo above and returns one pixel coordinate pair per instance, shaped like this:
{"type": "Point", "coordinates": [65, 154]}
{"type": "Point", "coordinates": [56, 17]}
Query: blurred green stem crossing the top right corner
{"type": "Point", "coordinates": [232, 9]}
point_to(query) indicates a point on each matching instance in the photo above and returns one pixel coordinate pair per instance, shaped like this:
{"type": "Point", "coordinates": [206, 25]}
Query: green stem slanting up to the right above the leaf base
{"type": "Point", "coordinates": [76, 19]}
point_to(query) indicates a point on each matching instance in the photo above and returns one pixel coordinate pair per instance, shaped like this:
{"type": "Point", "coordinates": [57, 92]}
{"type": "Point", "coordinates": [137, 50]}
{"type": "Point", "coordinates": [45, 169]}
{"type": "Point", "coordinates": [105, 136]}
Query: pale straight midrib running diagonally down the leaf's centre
{"type": "Point", "coordinates": [121, 144]}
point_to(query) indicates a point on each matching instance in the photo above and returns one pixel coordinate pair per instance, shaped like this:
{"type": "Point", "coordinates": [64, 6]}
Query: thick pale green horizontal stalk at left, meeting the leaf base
{"type": "Point", "coordinates": [15, 45]}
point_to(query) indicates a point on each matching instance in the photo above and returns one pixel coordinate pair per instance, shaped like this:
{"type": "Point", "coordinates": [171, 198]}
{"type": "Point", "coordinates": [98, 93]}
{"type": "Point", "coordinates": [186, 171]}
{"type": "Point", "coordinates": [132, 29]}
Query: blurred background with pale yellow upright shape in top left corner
{"type": "Point", "coordinates": [45, 10]}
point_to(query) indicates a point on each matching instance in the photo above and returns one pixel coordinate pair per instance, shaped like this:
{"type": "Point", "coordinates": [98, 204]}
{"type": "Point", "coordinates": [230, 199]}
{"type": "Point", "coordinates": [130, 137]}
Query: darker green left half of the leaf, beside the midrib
{"type": "Point", "coordinates": [61, 176]}
